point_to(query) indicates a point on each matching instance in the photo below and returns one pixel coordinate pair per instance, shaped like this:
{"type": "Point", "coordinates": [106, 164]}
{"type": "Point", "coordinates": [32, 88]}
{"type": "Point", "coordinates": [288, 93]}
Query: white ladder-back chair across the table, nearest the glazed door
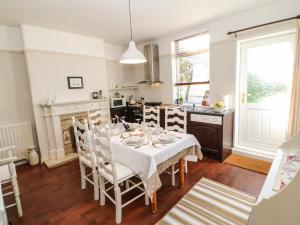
{"type": "Point", "coordinates": [176, 120]}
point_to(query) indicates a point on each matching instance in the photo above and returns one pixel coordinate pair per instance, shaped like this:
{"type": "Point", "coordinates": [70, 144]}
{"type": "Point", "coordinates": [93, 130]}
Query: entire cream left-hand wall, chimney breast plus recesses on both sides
{"type": "Point", "coordinates": [35, 63]}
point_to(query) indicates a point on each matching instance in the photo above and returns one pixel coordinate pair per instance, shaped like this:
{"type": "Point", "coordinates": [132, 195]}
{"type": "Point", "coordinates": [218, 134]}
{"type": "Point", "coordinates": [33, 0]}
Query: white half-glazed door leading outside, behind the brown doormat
{"type": "Point", "coordinates": [266, 66]}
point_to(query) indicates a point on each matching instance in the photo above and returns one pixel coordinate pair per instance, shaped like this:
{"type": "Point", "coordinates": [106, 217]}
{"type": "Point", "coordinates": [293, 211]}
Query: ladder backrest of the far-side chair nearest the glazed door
{"type": "Point", "coordinates": [176, 119]}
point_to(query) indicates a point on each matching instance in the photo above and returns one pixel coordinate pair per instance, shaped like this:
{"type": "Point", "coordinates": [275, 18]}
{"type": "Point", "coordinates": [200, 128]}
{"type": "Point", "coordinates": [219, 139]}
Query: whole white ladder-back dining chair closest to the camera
{"type": "Point", "coordinates": [114, 173]}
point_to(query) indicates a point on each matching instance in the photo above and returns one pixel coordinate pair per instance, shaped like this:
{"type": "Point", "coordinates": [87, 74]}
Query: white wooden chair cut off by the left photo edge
{"type": "Point", "coordinates": [8, 175]}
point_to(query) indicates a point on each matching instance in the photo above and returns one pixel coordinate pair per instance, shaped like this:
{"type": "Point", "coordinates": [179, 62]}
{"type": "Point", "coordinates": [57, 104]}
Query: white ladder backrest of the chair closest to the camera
{"type": "Point", "coordinates": [104, 155]}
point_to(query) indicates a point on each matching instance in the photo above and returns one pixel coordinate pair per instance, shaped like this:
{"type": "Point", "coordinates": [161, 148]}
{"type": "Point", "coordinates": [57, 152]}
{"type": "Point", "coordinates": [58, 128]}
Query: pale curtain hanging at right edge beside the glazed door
{"type": "Point", "coordinates": [294, 113]}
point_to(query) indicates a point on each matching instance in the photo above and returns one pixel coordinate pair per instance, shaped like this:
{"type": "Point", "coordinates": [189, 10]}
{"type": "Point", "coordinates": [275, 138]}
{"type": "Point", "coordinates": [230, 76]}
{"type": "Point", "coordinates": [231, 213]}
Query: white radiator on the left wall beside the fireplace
{"type": "Point", "coordinates": [19, 135]}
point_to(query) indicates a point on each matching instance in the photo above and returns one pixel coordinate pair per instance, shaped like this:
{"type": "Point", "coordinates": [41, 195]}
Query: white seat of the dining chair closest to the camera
{"type": "Point", "coordinates": [123, 173]}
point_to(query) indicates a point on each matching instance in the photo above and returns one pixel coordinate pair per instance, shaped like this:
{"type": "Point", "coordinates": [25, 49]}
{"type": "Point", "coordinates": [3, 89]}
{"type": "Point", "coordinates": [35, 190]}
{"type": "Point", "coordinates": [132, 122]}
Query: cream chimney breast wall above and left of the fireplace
{"type": "Point", "coordinates": [51, 57]}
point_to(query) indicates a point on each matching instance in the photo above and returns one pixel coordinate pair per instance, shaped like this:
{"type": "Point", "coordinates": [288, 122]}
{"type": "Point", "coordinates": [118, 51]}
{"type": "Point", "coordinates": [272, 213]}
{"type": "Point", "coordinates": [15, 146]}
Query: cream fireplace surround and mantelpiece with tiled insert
{"type": "Point", "coordinates": [58, 118]}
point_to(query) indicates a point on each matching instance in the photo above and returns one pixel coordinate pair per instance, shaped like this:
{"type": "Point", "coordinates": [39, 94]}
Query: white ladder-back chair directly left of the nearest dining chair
{"type": "Point", "coordinates": [86, 155]}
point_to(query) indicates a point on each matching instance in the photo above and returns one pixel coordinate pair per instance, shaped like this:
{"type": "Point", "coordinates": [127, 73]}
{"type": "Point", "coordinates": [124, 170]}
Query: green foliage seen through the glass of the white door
{"type": "Point", "coordinates": [258, 89]}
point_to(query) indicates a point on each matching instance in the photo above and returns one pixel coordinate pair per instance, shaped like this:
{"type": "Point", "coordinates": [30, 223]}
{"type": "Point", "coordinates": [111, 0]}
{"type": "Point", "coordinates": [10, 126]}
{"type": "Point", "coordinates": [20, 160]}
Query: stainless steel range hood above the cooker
{"type": "Point", "coordinates": [152, 65]}
